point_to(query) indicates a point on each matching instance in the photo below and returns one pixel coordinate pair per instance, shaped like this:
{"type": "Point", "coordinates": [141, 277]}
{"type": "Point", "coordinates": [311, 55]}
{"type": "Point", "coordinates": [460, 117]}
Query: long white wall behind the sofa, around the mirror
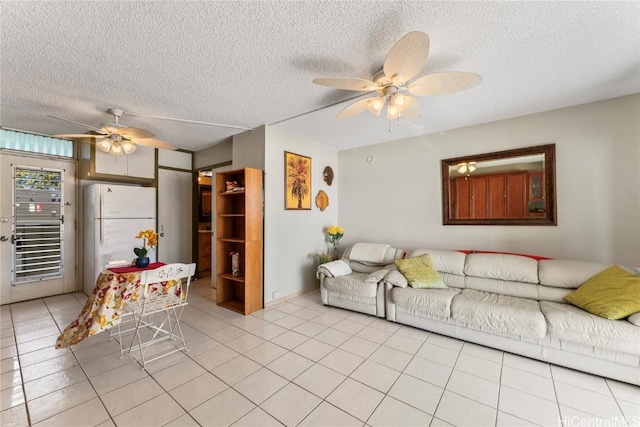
{"type": "Point", "coordinates": [397, 199]}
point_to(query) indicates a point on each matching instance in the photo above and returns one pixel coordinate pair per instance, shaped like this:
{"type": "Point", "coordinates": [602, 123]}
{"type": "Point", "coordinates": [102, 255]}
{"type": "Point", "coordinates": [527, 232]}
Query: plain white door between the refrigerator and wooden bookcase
{"type": "Point", "coordinates": [174, 216]}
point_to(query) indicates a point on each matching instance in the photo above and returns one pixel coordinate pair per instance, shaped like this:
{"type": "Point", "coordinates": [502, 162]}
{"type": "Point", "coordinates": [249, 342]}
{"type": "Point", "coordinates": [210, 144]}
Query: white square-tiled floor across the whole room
{"type": "Point", "coordinates": [296, 364]}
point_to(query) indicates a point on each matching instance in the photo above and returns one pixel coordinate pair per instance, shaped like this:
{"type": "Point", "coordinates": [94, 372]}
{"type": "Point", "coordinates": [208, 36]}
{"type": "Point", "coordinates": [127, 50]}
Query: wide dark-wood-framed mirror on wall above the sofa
{"type": "Point", "coordinates": [513, 187]}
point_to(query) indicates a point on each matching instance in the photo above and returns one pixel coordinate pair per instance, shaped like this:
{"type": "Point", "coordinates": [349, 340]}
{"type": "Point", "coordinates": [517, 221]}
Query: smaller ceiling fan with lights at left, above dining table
{"type": "Point", "coordinates": [116, 138]}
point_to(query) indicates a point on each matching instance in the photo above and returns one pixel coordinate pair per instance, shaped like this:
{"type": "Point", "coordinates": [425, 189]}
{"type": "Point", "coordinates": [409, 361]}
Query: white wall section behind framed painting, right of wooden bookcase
{"type": "Point", "coordinates": [292, 238]}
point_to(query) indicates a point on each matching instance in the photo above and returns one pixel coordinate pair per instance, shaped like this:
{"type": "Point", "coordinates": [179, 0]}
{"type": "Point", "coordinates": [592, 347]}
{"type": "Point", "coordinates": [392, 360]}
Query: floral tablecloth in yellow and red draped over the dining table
{"type": "Point", "coordinates": [105, 304]}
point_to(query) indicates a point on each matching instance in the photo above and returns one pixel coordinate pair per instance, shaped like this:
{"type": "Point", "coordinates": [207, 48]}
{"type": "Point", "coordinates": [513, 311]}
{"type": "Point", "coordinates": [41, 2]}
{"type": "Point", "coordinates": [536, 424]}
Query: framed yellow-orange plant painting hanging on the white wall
{"type": "Point", "coordinates": [297, 178]}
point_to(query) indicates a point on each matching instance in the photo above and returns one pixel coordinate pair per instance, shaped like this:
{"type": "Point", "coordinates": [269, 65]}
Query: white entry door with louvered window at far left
{"type": "Point", "coordinates": [37, 228]}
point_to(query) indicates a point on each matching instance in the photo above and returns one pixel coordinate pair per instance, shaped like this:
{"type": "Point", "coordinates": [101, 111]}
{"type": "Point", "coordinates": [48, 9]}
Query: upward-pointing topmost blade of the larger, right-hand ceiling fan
{"type": "Point", "coordinates": [406, 57]}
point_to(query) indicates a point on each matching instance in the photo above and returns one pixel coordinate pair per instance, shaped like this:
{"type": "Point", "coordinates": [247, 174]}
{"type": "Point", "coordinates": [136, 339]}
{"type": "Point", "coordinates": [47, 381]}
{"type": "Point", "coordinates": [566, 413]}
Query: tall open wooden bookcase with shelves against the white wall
{"type": "Point", "coordinates": [239, 229]}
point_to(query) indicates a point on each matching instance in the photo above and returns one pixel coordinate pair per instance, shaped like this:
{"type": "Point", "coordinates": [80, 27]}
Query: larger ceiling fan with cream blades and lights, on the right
{"type": "Point", "coordinates": [392, 84]}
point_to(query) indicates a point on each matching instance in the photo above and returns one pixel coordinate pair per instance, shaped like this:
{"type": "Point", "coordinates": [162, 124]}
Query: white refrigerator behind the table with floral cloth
{"type": "Point", "coordinates": [113, 216]}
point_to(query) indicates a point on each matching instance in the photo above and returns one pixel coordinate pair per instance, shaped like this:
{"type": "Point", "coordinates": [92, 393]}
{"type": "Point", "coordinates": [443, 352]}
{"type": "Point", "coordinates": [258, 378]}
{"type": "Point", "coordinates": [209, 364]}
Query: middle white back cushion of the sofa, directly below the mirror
{"type": "Point", "coordinates": [503, 267]}
